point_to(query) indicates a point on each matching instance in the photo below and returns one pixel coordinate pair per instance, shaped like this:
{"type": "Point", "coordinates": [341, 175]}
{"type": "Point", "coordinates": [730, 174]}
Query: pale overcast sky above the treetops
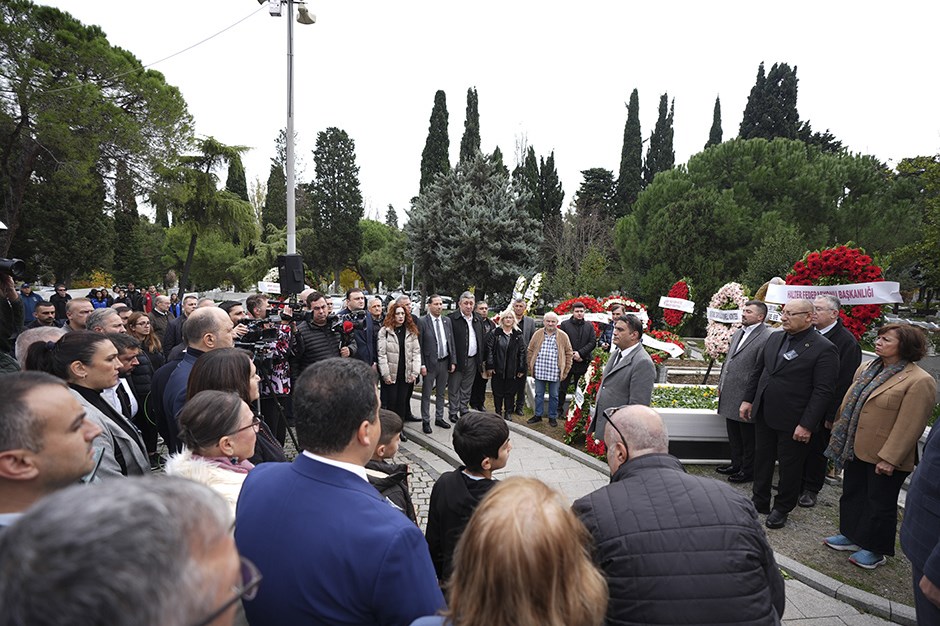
{"type": "Point", "coordinates": [557, 74]}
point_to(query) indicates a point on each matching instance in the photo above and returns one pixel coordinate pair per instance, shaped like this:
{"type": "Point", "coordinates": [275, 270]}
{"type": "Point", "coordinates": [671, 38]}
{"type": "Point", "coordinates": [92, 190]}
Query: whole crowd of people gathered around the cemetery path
{"type": "Point", "coordinates": [332, 536]}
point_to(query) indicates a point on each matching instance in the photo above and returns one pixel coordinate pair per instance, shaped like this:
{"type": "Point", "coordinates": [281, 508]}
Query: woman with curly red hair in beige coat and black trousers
{"type": "Point", "coordinates": [399, 358]}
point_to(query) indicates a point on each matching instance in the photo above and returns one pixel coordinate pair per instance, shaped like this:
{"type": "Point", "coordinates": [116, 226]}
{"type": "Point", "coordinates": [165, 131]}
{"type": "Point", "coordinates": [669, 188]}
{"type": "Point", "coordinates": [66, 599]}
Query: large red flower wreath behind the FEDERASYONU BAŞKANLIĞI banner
{"type": "Point", "coordinates": [841, 265]}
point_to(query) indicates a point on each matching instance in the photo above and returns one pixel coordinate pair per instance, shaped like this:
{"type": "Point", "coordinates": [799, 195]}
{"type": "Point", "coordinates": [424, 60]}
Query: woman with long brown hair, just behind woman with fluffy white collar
{"type": "Point", "coordinates": [232, 369]}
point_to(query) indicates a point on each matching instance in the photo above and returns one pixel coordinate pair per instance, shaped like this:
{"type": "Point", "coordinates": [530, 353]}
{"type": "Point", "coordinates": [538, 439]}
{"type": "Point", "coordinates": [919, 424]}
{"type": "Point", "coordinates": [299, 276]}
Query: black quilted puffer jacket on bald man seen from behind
{"type": "Point", "coordinates": [680, 549]}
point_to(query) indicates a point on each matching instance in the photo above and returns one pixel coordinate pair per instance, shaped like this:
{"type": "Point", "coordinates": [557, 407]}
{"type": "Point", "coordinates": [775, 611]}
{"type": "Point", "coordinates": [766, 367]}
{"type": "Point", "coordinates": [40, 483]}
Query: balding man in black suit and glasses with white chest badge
{"type": "Point", "coordinates": [787, 399]}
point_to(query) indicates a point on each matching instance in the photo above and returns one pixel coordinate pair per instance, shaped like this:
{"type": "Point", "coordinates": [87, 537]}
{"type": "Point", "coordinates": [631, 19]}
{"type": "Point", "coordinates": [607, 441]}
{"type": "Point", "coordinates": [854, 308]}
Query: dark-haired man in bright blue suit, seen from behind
{"type": "Point", "coordinates": [331, 548]}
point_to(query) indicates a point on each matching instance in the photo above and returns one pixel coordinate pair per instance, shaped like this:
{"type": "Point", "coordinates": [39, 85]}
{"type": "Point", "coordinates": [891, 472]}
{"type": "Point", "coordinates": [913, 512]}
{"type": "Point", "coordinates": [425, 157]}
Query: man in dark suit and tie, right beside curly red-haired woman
{"type": "Point", "coordinates": [438, 359]}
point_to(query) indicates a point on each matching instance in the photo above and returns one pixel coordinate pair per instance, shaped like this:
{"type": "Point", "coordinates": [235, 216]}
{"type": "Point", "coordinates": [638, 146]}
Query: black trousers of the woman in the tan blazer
{"type": "Point", "coordinates": [868, 508]}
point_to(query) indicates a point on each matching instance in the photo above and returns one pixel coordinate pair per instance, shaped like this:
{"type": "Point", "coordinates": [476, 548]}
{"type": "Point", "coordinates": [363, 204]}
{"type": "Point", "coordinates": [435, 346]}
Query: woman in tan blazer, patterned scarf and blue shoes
{"type": "Point", "coordinates": [875, 439]}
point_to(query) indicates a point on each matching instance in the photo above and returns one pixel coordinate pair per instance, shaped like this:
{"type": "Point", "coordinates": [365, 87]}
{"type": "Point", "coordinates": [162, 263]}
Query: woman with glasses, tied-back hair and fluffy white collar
{"type": "Point", "coordinates": [218, 430]}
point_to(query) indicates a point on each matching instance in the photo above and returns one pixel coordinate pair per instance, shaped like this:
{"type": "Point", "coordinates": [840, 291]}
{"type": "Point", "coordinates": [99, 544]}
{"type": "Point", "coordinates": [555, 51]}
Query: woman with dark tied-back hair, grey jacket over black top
{"type": "Point", "coordinates": [89, 363]}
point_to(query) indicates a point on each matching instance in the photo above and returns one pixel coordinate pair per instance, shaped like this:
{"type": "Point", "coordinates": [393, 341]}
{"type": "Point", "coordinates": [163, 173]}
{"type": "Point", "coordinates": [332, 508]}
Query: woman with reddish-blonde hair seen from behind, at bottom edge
{"type": "Point", "coordinates": [524, 558]}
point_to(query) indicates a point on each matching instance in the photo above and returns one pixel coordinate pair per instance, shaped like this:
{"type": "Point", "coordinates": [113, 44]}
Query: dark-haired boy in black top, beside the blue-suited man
{"type": "Point", "coordinates": [481, 440]}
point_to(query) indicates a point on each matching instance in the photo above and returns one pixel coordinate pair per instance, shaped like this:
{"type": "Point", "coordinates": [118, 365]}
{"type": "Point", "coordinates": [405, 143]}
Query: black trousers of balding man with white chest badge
{"type": "Point", "coordinates": [771, 446]}
